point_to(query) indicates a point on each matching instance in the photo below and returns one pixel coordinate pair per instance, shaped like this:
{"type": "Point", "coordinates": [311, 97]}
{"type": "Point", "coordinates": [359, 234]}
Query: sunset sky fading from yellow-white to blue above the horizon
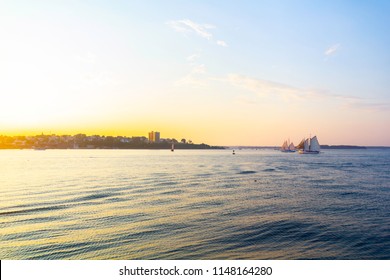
{"type": "Point", "coordinates": [216, 72]}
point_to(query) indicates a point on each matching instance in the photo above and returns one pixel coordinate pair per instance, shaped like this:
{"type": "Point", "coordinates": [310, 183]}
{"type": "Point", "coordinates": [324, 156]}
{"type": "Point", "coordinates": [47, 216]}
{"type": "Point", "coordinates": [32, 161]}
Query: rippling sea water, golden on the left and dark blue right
{"type": "Point", "coordinates": [155, 204]}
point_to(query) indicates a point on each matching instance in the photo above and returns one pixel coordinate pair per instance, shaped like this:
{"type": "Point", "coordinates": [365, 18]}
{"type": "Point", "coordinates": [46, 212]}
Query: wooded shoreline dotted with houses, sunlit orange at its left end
{"type": "Point", "coordinates": [82, 141]}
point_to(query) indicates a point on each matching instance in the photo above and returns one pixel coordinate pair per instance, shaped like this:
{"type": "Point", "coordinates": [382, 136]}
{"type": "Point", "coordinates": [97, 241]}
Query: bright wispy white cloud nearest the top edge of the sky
{"type": "Point", "coordinates": [188, 26]}
